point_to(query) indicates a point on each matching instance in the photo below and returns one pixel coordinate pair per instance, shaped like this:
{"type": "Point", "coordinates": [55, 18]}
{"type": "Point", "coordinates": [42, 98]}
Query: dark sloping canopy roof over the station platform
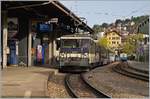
{"type": "Point", "coordinates": [44, 10]}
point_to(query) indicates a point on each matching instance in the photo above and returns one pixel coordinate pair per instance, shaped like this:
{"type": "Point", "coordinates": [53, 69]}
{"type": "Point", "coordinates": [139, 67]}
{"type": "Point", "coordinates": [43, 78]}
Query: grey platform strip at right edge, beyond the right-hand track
{"type": "Point", "coordinates": [140, 66]}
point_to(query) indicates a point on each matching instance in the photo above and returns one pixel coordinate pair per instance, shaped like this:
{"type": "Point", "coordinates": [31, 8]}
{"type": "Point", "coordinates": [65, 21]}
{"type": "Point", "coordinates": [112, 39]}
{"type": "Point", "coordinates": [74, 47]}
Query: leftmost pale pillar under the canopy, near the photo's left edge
{"type": "Point", "coordinates": [5, 33]}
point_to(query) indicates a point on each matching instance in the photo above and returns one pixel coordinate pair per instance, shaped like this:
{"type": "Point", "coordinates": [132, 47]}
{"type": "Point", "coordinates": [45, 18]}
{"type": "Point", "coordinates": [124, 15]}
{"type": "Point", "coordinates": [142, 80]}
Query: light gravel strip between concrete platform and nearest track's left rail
{"type": "Point", "coordinates": [56, 86]}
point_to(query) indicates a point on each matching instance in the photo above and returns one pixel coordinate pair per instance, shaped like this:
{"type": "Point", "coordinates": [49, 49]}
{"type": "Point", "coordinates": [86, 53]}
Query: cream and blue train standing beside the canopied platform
{"type": "Point", "coordinates": [80, 52]}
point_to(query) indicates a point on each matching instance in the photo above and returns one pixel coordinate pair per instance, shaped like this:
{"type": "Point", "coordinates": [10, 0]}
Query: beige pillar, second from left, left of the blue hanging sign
{"type": "Point", "coordinates": [29, 44]}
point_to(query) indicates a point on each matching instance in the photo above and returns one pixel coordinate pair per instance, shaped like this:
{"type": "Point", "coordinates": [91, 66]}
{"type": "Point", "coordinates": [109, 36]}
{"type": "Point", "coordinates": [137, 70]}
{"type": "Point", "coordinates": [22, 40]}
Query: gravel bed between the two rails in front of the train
{"type": "Point", "coordinates": [79, 87]}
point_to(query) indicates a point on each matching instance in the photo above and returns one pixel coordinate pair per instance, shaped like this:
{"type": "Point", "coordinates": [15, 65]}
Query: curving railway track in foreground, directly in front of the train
{"type": "Point", "coordinates": [78, 88]}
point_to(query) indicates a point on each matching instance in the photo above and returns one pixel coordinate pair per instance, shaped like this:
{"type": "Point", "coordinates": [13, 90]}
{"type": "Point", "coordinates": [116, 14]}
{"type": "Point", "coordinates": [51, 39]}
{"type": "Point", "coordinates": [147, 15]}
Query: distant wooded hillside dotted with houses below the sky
{"type": "Point", "coordinates": [126, 24]}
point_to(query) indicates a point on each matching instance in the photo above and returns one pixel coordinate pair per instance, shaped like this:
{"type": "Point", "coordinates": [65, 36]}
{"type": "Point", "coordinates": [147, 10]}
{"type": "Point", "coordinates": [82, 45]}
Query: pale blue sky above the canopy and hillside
{"type": "Point", "coordinates": [100, 11]}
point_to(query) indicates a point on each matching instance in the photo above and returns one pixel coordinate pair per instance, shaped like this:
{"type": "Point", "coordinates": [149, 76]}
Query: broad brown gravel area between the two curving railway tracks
{"type": "Point", "coordinates": [117, 85]}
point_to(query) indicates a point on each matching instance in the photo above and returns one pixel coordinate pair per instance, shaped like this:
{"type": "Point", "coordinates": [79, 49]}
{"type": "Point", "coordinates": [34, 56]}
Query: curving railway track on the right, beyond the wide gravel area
{"type": "Point", "coordinates": [124, 70]}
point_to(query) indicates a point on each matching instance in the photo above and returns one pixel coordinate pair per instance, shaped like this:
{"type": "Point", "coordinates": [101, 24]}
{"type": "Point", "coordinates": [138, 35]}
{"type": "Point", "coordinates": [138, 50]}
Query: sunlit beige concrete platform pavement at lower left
{"type": "Point", "coordinates": [25, 82]}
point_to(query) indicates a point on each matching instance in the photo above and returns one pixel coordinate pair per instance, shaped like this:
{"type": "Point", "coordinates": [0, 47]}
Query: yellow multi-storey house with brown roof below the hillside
{"type": "Point", "coordinates": [114, 39]}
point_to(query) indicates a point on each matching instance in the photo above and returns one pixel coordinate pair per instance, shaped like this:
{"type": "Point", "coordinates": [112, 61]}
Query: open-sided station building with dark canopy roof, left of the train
{"type": "Point", "coordinates": [31, 26]}
